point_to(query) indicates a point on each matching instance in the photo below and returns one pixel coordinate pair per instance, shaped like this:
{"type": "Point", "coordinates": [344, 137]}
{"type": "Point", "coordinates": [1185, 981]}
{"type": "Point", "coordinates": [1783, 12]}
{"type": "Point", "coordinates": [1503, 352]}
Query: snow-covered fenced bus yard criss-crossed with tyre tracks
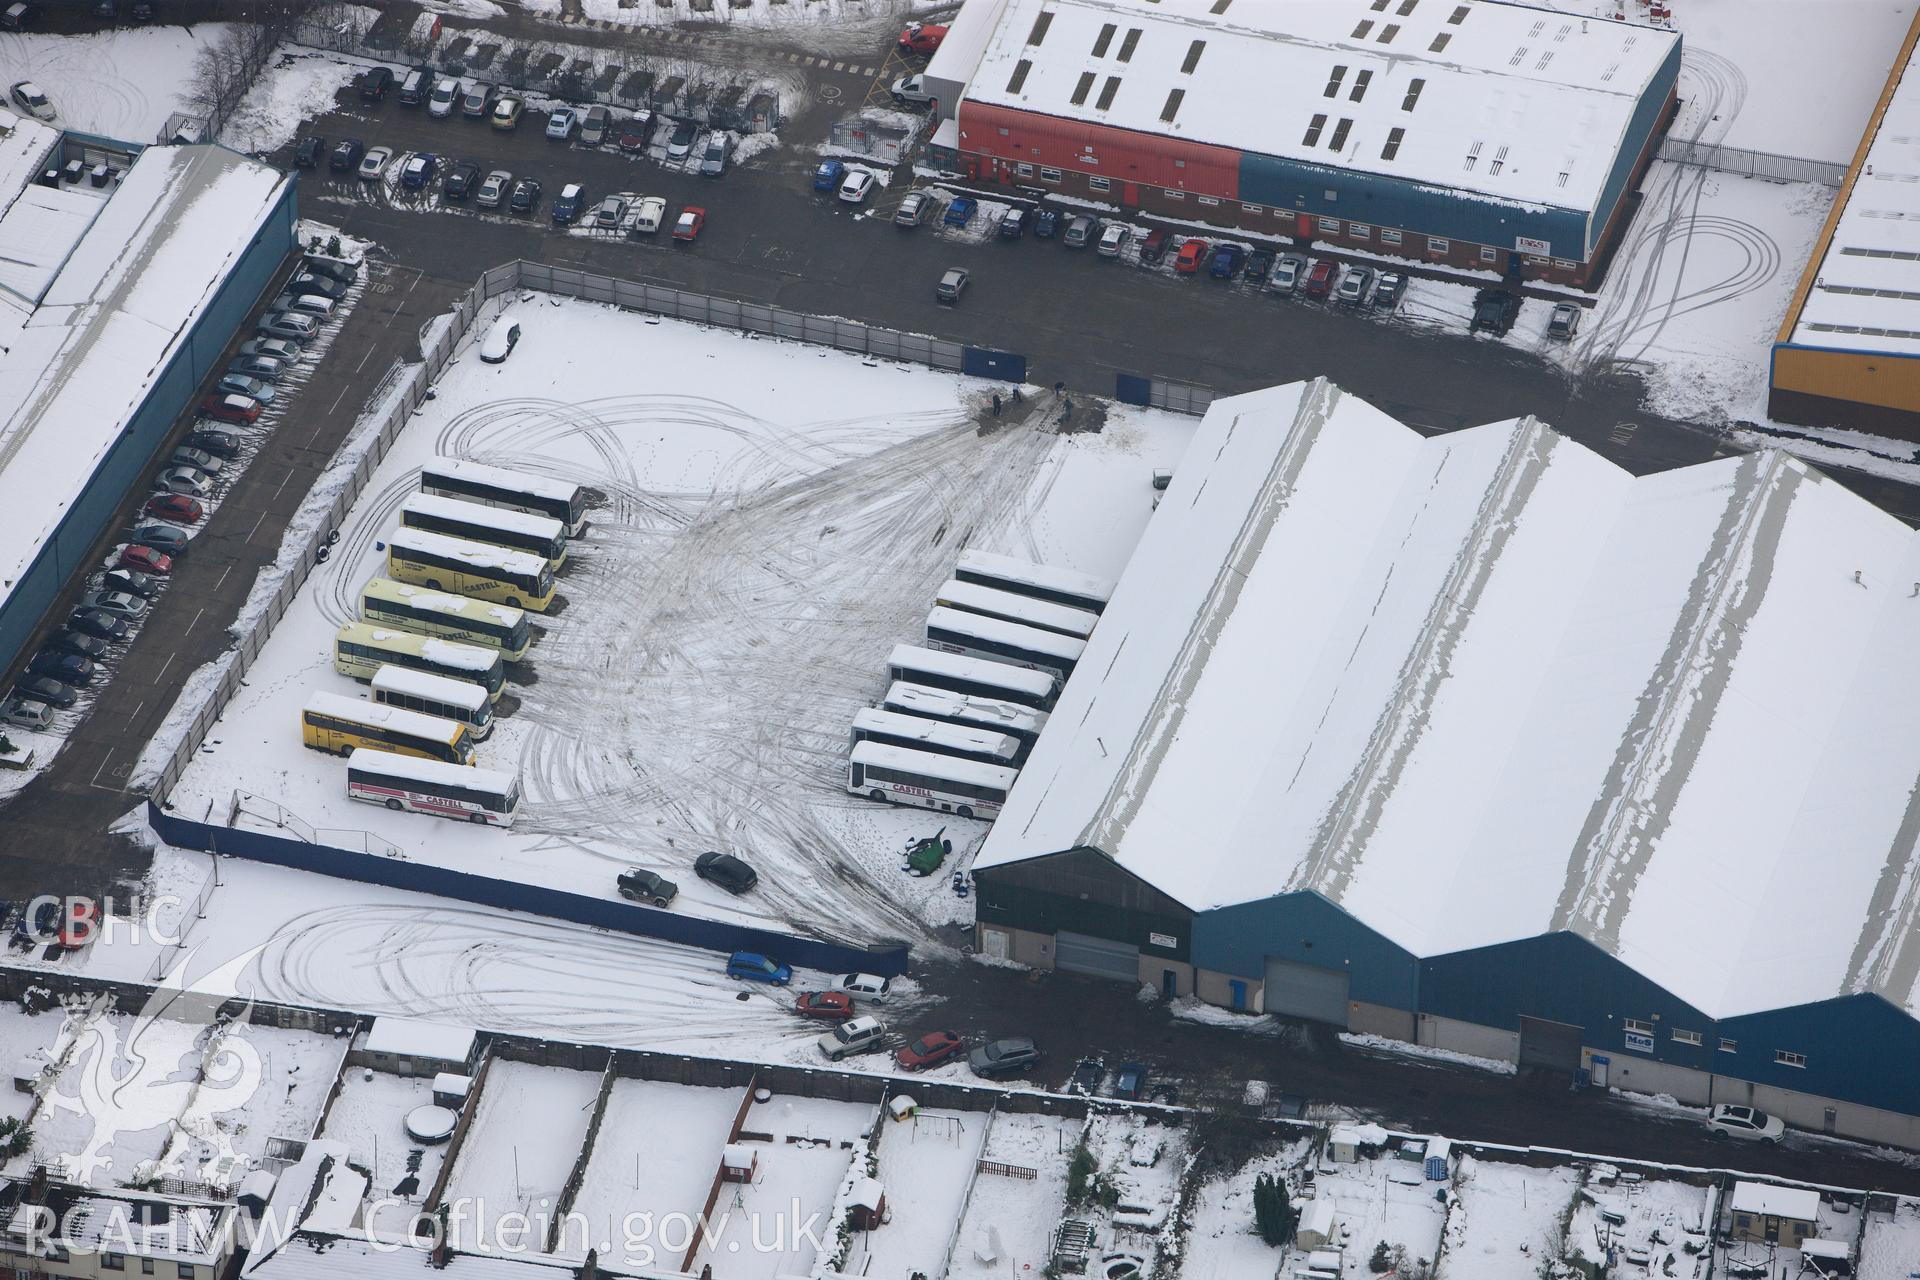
{"type": "Point", "coordinates": [765, 523]}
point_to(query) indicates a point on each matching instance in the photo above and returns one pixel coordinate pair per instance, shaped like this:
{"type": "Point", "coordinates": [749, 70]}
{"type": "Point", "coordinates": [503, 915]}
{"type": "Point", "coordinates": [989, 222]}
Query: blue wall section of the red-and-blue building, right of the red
{"type": "Point", "coordinates": [1389, 202]}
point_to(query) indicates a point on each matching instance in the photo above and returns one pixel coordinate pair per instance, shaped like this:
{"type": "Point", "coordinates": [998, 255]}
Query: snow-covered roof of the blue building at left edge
{"type": "Point", "coordinates": [120, 302]}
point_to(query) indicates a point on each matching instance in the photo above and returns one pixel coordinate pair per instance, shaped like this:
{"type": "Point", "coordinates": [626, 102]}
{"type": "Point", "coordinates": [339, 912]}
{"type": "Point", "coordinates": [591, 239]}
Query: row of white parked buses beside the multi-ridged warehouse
{"type": "Point", "coordinates": [965, 711]}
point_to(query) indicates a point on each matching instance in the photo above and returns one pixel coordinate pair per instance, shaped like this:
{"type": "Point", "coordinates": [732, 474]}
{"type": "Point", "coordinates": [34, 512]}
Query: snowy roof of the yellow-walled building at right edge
{"type": "Point", "coordinates": [1867, 289]}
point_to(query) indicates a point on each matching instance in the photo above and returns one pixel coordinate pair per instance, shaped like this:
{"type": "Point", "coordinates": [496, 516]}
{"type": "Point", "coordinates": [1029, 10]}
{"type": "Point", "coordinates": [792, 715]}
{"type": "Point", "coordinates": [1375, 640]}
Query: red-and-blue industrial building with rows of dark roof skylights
{"type": "Point", "coordinates": [1470, 133]}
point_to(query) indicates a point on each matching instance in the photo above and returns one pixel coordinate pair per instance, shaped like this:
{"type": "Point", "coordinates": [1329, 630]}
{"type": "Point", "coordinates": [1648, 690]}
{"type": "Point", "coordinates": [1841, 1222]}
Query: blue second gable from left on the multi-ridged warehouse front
{"type": "Point", "coordinates": [1305, 928]}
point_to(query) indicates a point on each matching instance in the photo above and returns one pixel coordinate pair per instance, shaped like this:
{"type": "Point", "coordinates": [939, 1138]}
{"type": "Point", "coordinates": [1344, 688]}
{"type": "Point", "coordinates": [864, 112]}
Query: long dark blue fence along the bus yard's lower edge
{"type": "Point", "coordinates": [886, 960]}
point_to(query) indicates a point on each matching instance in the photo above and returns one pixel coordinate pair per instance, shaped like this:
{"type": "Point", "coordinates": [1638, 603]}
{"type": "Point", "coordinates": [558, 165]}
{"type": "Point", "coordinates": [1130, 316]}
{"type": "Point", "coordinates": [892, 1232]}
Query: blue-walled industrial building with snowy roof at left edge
{"type": "Point", "coordinates": [124, 275]}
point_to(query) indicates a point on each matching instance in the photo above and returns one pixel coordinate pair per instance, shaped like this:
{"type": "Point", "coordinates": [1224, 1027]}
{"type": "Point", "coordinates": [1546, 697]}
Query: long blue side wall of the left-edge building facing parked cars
{"type": "Point", "coordinates": [130, 458]}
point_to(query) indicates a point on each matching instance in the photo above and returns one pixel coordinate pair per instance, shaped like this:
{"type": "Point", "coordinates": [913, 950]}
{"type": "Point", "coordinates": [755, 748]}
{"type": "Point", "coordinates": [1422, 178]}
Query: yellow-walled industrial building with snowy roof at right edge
{"type": "Point", "coordinates": [1848, 352]}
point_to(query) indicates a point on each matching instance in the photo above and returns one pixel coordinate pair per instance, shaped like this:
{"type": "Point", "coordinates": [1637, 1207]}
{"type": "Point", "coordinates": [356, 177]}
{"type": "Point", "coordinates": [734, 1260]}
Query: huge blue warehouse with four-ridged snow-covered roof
{"type": "Point", "coordinates": [1483, 744]}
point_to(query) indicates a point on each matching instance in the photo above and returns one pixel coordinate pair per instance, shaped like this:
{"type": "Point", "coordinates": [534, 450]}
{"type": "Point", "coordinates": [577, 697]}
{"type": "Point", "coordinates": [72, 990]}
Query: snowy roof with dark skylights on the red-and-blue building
{"type": "Point", "coordinates": [1510, 103]}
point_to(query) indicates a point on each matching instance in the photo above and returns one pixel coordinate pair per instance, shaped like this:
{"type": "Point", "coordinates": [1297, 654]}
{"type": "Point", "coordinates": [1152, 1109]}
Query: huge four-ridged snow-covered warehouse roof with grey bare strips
{"type": "Point", "coordinates": [1489, 686]}
